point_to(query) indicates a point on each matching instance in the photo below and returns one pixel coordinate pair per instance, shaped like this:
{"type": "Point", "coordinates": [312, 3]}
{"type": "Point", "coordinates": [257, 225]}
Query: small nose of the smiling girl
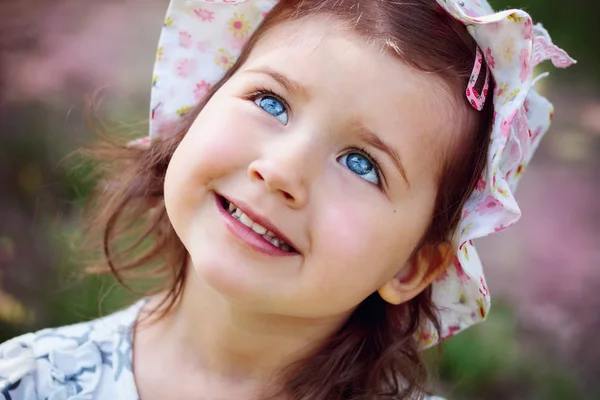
{"type": "Point", "coordinates": [284, 175]}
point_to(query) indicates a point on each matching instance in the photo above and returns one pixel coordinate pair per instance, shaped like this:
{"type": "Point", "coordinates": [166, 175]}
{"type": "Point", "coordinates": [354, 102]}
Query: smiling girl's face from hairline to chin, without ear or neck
{"type": "Point", "coordinates": [329, 143]}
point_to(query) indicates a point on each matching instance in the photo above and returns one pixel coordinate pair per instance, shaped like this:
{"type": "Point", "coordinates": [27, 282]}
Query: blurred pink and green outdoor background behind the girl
{"type": "Point", "coordinates": [540, 341]}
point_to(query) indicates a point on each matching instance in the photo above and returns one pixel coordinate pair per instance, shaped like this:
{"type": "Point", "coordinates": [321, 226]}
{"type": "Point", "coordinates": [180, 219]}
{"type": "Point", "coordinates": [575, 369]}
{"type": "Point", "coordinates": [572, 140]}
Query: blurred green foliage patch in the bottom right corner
{"type": "Point", "coordinates": [490, 362]}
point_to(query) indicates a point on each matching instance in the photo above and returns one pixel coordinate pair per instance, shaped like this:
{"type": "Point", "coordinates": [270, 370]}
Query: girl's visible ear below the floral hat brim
{"type": "Point", "coordinates": [423, 269]}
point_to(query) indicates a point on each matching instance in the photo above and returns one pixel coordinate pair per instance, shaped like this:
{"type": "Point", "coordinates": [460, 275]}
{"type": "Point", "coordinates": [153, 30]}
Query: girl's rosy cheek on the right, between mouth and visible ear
{"type": "Point", "coordinates": [363, 240]}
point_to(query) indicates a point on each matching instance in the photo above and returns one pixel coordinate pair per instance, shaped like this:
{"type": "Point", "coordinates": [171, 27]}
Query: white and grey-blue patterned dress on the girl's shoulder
{"type": "Point", "coordinates": [90, 360]}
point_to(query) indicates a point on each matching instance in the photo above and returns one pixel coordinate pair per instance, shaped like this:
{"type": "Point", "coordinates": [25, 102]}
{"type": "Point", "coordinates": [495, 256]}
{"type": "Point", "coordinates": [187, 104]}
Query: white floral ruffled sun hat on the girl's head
{"type": "Point", "coordinates": [202, 39]}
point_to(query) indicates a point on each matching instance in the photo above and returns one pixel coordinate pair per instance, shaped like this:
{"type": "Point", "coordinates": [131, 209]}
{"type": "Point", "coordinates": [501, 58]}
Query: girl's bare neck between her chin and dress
{"type": "Point", "coordinates": [228, 342]}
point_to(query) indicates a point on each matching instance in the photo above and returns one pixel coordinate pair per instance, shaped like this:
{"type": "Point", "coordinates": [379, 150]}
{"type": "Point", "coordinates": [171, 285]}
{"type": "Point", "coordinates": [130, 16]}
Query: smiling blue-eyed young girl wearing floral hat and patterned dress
{"type": "Point", "coordinates": [314, 177]}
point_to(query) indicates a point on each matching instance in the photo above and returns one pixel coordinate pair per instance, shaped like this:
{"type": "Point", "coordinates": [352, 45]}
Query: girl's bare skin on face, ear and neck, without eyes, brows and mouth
{"type": "Point", "coordinates": [245, 314]}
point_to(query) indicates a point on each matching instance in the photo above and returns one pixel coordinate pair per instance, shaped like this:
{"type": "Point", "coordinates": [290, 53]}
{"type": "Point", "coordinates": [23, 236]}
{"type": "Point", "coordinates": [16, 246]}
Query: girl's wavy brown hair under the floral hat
{"type": "Point", "coordinates": [375, 354]}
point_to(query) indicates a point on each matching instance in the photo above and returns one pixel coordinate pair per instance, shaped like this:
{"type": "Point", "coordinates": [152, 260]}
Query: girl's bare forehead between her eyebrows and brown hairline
{"type": "Point", "coordinates": [361, 81]}
